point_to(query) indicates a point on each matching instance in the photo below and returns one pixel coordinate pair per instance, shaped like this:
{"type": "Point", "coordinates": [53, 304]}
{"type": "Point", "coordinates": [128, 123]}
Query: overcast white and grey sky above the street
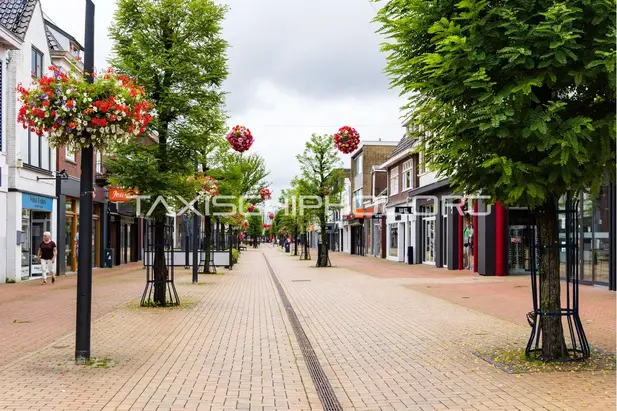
{"type": "Point", "coordinates": [296, 68]}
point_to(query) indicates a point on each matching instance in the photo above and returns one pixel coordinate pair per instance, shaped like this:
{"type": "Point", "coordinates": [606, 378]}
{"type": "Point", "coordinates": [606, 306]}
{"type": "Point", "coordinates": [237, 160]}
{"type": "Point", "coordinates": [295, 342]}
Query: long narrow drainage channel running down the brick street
{"type": "Point", "coordinates": [322, 384]}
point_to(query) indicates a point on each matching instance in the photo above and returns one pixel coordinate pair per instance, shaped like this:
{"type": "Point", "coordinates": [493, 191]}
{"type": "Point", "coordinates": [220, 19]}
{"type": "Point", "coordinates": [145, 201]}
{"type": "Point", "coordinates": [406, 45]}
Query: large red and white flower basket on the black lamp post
{"type": "Point", "coordinates": [73, 113]}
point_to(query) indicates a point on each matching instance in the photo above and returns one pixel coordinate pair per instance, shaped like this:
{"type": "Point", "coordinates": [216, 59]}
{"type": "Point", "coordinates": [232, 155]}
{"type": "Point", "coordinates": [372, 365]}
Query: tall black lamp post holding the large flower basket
{"type": "Point", "coordinates": [84, 271]}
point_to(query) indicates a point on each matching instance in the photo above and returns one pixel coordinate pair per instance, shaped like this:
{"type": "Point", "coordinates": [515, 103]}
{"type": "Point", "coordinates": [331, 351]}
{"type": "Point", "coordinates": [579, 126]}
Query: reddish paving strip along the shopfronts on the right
{"type": "Point", "coordinates": [507, 298]}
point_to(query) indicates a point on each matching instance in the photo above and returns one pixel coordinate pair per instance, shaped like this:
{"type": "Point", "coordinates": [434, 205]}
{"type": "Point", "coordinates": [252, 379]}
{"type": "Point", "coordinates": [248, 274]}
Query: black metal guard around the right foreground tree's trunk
{"type": "Point", "coordinates": [578, 347]}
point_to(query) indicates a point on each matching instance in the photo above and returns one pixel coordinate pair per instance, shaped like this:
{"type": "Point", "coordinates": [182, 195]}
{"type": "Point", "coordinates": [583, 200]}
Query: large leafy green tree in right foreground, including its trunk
{"type": "Point", "coordinates": [515, 100]}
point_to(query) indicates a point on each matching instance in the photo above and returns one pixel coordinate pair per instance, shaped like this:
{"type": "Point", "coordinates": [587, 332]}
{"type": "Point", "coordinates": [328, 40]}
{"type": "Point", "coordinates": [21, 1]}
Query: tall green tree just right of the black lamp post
{"type": "Point", "coordinates": [175, 50]}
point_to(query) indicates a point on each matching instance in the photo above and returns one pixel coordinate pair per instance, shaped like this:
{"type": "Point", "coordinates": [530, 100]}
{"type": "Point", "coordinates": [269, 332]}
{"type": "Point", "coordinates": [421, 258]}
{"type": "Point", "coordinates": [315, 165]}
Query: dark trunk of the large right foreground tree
{"type": "Point", "coordinates": [553, 342]}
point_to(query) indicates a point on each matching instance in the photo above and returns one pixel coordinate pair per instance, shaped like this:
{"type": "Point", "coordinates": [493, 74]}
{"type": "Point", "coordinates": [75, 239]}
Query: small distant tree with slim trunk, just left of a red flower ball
{"type": "Point", "coordinates": [322, 178]}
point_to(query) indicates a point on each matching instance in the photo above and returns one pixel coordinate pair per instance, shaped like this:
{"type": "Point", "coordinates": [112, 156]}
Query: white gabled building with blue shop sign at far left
{"type": "Point", "coordinates": [31, 205]}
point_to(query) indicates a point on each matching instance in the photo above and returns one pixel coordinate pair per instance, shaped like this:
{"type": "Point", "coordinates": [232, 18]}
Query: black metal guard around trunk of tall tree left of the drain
{"type": "Point", "coordinates": [171, 295]}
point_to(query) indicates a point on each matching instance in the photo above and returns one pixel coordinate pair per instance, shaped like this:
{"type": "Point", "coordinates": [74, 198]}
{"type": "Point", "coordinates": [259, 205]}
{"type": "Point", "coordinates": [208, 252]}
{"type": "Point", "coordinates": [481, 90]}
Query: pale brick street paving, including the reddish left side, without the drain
{"type": "Point", "coordinates": [383, 342]}
